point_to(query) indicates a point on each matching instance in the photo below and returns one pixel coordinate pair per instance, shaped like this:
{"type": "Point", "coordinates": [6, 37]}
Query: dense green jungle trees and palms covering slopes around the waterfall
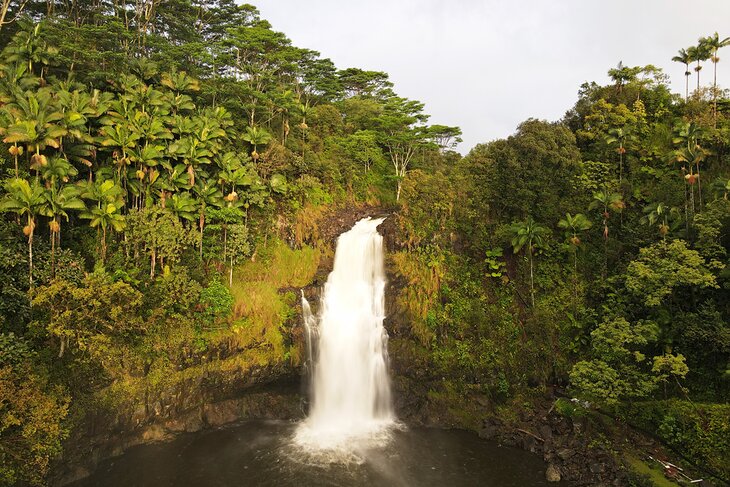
{"type": "Point", "coordinates": [167, 163]}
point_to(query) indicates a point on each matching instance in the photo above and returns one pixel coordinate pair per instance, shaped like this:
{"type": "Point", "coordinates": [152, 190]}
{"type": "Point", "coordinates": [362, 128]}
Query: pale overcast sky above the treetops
{"type": "Point", "coordinates": [488, 65]}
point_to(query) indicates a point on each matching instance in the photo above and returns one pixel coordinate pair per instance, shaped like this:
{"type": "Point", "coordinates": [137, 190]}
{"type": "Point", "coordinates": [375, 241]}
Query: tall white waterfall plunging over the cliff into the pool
{"type": "Point", "coordinates": [350, 386]}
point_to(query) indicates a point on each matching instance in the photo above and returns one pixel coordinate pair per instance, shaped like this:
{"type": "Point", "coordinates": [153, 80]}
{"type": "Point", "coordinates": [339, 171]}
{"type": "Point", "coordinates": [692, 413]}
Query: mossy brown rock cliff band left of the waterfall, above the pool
{"type": "Point", "coordinates": [205, 396]}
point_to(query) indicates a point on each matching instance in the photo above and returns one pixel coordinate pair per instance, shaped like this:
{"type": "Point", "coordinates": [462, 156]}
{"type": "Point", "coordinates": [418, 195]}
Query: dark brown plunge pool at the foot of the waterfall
{"type": "Point", "coordinates": [261, 453]}
